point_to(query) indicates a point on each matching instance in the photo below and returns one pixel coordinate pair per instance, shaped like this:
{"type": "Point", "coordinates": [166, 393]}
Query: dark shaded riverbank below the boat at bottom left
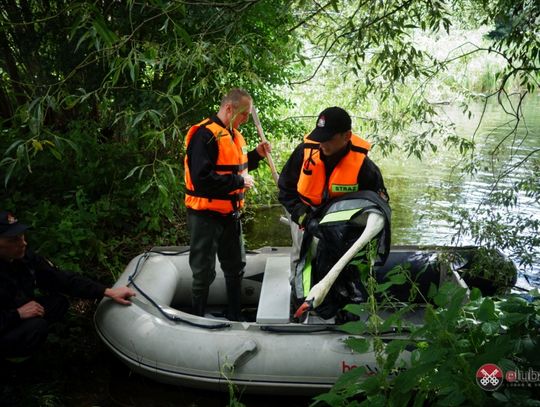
{"type": "Point", "coordinates": [75, 369]}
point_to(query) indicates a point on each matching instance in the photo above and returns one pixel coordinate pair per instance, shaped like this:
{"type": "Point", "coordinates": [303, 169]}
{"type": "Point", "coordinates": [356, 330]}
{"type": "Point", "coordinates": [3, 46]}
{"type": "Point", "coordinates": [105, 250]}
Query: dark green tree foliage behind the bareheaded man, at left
{"type": "Point", "coordinates": [95, 99]}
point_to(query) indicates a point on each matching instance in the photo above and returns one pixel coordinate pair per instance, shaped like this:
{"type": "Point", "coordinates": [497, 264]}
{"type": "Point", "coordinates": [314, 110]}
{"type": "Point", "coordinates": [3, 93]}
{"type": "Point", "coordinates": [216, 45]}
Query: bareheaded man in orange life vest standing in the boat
{"type": "Point", "coordinates": [216, 166]}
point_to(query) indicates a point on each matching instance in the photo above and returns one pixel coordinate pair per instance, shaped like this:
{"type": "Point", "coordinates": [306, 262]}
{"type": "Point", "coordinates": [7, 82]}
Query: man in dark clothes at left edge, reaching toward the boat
{"type": "Point", "coordinates": [24, 316]}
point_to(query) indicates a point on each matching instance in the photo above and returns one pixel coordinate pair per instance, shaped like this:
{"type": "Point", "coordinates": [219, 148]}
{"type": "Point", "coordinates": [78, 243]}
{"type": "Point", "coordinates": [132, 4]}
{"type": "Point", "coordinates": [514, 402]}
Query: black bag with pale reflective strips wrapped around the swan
{"type": "Point", "coordinates": [331, 231]}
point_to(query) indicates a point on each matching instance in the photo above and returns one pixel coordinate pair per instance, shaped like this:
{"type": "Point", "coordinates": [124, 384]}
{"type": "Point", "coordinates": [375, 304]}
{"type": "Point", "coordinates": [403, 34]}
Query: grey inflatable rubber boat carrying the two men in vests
{"type": "Point", "coordinates": [158, 337]}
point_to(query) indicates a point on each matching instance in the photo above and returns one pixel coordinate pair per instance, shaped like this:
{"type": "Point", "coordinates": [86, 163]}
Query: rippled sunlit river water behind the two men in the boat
{"type": "Point", "coordinates": [423, 192]}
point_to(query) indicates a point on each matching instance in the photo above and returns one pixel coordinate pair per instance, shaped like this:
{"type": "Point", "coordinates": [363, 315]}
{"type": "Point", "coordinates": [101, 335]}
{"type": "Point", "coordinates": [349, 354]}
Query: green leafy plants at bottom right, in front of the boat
{"type": "Point", "coordinates": [435, 362]}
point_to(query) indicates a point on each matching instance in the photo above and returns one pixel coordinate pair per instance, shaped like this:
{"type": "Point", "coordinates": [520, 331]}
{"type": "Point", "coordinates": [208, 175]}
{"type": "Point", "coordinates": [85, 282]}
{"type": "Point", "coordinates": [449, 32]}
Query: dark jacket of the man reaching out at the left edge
{"type": "Point", "coordinates": [20, 279]}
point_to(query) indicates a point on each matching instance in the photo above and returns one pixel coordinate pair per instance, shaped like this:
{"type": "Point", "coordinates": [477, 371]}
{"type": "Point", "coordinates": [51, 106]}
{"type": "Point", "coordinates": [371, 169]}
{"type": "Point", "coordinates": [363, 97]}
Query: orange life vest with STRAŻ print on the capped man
{"type": "Point", "coordinates": [314, 188]}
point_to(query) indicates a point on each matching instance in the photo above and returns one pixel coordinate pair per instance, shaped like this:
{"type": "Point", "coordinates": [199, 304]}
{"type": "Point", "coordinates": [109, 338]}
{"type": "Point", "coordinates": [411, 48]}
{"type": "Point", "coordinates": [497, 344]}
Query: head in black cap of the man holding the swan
{"type": "Point", "coordinates": [332, 130]}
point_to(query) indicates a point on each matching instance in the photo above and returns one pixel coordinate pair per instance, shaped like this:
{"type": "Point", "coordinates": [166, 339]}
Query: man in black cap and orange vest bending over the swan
{"type": "Point", "coordinates": [331, 162]}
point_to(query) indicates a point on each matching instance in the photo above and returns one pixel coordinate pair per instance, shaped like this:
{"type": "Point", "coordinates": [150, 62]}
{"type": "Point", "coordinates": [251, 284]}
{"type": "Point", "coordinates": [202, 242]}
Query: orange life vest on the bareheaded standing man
{"type": "Point", "coordinates": [232, 159]}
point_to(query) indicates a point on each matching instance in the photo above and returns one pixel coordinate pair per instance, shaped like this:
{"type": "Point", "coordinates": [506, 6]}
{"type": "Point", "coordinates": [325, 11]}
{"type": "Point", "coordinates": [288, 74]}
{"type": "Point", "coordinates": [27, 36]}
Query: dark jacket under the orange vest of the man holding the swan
{"type": "Point", "coordinates": [369, 178]}
